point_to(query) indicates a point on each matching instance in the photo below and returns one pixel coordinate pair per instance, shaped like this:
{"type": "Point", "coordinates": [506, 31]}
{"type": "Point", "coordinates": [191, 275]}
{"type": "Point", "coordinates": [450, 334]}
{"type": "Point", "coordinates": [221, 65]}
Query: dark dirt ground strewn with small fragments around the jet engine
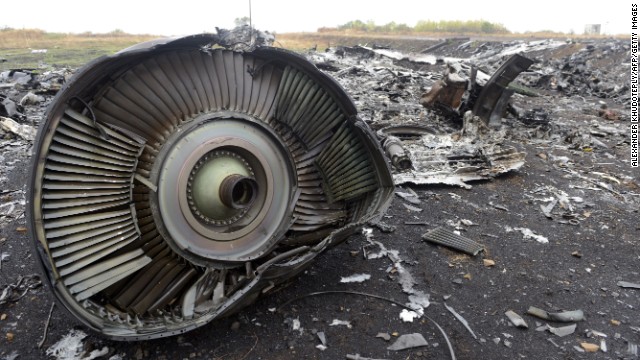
{"type": "Point", "coordinates": [572, 258]}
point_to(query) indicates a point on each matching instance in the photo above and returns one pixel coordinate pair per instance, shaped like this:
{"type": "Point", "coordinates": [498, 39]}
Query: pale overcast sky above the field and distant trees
{"type": "Point", "coordinates": [190, 16]}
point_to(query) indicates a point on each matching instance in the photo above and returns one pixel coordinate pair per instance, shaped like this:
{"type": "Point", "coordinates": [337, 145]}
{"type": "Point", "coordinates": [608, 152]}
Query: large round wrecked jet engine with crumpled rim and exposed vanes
{"type": "Point", "coordinates": [177, 181]}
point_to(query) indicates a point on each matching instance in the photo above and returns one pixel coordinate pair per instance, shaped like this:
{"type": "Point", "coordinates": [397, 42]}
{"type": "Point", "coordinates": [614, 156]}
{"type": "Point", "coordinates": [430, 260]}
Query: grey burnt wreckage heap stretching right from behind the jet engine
{"type": "Point", "coordinates": [459, 111]}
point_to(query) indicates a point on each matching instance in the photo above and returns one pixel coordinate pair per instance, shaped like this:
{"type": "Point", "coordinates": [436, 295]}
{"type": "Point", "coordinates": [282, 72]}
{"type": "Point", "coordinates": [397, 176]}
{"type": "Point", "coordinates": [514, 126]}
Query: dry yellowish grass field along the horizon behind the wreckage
{"type": "Point", "coordinates": [73, 50]}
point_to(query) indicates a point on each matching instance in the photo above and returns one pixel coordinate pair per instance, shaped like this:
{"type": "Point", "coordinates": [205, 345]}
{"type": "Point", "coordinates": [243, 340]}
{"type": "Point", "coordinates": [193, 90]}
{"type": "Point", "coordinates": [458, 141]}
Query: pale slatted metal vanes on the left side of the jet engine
{"type": "Point", "coordinates": [86, 205]}
